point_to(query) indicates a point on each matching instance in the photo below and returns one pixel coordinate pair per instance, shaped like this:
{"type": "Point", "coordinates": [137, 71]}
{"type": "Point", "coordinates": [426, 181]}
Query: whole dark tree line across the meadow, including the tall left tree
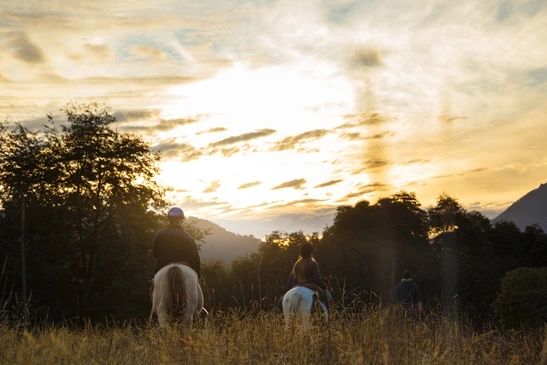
{"type": "Point", "coordinates": [79, 207]}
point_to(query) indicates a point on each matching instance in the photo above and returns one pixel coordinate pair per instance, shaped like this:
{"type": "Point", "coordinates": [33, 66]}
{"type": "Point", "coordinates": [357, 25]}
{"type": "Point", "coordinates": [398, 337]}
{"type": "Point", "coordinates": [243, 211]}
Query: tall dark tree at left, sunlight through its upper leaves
{"type": "Point", "coordinates": [90, 195]}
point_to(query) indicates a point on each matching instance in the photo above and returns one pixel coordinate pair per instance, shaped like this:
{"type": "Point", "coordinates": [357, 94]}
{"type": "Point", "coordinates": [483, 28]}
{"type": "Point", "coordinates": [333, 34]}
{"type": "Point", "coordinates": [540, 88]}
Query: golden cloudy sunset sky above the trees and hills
{"type": "Point", "coordinates": [269, 115]}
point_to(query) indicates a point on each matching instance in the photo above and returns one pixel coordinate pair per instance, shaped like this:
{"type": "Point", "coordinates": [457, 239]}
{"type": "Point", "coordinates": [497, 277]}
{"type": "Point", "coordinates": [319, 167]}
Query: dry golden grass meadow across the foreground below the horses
{"type": "Point", "coordinates": [372, 336]}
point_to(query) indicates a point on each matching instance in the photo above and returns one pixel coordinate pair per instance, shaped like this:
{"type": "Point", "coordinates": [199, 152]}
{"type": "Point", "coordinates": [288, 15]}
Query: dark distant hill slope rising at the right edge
{"type": "Point", "coordinates": [530, 209]}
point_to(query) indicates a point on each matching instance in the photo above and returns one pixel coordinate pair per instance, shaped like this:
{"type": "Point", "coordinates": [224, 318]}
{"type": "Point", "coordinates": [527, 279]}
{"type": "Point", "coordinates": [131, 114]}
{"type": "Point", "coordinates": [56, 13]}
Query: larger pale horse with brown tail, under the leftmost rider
{"type": "Point", "coordinates": [176, 293]}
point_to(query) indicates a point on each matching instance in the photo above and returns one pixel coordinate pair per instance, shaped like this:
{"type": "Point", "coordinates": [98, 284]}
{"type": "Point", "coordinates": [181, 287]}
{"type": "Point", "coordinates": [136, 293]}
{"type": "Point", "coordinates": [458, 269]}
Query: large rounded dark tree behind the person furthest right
{"type": "Point", "coordinates": [369, 246]}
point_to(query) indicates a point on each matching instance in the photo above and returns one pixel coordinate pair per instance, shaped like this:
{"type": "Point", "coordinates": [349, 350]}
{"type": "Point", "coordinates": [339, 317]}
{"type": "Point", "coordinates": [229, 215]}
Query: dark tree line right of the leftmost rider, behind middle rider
{"type": "Point", "coordinates": [458, 258]}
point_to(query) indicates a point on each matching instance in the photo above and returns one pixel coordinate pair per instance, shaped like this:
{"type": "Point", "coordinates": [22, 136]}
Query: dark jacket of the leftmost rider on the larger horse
{"type": "Point", "coordinates": [173, 244]}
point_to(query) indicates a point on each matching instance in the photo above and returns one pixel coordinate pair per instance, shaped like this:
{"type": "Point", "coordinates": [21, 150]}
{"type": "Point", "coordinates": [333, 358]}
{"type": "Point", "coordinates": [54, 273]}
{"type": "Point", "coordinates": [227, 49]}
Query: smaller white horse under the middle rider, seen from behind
{"type": "Point", "coordinates": [298, 304]}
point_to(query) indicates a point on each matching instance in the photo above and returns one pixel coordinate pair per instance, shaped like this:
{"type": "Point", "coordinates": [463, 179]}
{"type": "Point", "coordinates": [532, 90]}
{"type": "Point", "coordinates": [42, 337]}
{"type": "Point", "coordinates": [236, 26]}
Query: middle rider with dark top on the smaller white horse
{"type": "Point", "coordinates": [306, 272]}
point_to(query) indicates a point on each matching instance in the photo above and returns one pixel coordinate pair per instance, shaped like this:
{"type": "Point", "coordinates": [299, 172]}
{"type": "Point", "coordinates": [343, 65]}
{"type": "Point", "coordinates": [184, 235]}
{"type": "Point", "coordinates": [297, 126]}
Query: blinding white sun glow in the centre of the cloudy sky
{"type": "Point", "coordinates": [242, 100]}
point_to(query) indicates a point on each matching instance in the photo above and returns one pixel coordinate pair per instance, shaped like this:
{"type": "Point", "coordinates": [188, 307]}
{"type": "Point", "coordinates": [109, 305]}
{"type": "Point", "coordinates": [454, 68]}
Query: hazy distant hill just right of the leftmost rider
{"type": "Point", "coordinates": [222, 244]}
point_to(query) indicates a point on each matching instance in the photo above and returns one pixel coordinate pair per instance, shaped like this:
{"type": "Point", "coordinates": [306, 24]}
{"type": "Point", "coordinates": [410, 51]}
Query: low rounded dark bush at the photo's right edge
{"type": "Point", "coordinates": [522, 300]}
